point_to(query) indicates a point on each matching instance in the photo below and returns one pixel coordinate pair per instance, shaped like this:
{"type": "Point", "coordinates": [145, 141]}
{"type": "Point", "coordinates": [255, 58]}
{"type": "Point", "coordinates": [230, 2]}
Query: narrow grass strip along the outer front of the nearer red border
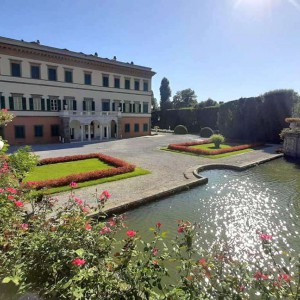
{"type": "Point", "coordinates": [136, 172]}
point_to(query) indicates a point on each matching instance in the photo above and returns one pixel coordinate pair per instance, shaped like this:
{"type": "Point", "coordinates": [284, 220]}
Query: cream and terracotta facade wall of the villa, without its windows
{"type": "Point", "coordinates": [28, 54]}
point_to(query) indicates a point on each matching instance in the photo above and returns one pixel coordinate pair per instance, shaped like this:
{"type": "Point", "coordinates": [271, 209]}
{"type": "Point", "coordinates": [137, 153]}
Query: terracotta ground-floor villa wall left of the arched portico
{"type": "Point", "coordinates": [29, 123]}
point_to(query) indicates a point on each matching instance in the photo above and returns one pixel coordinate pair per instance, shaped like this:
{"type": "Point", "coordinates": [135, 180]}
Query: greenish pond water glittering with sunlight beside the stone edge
{"type": "Point", "coordinates": [234, 207]}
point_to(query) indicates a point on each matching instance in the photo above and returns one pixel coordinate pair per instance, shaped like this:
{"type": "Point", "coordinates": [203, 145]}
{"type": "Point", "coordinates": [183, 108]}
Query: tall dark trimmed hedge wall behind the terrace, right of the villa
{"type": "Point", "coordinates": [250, 119]}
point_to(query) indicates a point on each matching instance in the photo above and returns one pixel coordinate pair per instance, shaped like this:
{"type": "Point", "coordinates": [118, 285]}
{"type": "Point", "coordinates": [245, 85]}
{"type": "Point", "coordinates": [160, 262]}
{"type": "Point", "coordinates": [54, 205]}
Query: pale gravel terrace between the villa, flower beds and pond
{"type": "Point", "coordinates": [170, 171]}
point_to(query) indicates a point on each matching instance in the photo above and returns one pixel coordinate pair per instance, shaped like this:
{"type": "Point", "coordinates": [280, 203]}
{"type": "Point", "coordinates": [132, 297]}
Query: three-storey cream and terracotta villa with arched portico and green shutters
{"type": "Point", "coordinates": [61, 95]}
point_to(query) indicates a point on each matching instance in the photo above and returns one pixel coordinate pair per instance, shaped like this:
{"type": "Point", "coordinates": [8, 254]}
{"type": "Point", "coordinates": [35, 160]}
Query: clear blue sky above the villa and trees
{"type": "Point", "coordinates": [222, 49]}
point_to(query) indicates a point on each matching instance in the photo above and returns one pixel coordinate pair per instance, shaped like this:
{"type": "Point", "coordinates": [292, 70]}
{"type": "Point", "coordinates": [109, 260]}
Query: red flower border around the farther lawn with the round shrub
{"type": "Point", "coordinates": [186, 147]}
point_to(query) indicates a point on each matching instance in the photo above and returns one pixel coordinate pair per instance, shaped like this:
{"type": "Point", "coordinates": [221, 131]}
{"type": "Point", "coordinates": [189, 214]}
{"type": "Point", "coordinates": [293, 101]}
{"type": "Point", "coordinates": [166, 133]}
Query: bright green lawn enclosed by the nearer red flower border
{"type": "Point", "coordinates": [54, 171]}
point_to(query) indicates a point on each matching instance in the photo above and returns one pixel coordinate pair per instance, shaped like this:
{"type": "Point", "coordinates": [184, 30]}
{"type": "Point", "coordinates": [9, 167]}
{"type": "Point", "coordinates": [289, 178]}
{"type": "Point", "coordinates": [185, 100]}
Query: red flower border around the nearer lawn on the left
{"type": "Point", "coordinates": [121, 167]}
